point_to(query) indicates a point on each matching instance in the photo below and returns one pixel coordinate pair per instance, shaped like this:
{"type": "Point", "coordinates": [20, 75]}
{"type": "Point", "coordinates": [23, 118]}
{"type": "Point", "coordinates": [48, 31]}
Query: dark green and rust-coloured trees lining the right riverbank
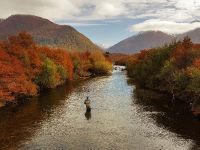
{"type": "Point", "coordinates": [173, 69]}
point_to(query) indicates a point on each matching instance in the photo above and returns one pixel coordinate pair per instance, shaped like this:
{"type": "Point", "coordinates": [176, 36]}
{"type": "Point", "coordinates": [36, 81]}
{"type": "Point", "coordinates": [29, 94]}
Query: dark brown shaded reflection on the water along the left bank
{"type": "Point", "coordinates": [18, 122]}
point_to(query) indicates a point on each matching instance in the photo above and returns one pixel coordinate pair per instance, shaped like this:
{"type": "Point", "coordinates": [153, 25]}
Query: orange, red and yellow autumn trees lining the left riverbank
{"type": "Point", "coordinates": [26, 68]}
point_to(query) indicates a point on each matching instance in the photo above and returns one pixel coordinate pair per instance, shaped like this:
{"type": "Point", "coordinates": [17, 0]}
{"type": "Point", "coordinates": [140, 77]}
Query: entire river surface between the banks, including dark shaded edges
{"type": "Point", "coordinates": [121, 119]}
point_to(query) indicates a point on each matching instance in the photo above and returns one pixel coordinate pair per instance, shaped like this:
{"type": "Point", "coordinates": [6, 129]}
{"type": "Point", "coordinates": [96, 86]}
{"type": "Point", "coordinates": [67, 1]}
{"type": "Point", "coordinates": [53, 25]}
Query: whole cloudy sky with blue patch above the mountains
{"type": "Point", "coordinates": [107, 22]}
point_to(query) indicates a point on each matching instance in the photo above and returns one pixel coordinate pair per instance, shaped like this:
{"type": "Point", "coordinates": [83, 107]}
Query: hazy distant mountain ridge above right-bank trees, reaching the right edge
{"type": "Point", "coordinates": [150, 39]}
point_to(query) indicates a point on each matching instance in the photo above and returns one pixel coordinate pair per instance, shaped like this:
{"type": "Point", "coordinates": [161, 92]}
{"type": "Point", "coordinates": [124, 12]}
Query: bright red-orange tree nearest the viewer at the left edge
{"type": "Point", "coordinates": [13, 81]}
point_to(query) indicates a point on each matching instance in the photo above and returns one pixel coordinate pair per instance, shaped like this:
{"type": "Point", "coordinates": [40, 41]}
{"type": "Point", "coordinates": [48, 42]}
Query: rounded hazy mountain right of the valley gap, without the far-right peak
{"type": "Point", "coordinates": [141, 41]}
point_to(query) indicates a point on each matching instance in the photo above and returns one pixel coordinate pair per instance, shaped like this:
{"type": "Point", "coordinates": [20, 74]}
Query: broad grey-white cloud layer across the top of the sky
{"type": "Point", "coordinates": [103, 9]}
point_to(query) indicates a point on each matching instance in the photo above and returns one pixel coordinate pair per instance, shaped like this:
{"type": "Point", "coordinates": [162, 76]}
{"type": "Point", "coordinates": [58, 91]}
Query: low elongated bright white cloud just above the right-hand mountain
{"type": "Point", "coordinates": [165, 26]}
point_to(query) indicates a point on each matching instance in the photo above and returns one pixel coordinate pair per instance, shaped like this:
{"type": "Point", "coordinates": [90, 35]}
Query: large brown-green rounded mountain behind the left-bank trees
{"type": "Point", "coordinates": [46, 32]}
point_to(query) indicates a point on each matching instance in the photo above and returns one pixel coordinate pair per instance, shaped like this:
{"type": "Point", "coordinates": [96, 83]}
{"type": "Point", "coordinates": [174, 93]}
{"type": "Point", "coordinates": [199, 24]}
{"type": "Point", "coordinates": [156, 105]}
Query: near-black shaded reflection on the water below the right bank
{"type": "Point", "coordinates": [174, 118]}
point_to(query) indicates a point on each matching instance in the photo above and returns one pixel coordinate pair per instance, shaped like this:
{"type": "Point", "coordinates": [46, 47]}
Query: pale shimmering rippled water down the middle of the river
{"type": "Point", "coordinates": [116, 121]}
